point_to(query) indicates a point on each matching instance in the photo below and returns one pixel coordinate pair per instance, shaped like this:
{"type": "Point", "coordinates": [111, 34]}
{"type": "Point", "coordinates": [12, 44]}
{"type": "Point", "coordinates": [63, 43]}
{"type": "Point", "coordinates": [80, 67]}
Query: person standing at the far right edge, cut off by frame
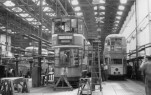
{"type": "Point", "coordinates": [146, 68]}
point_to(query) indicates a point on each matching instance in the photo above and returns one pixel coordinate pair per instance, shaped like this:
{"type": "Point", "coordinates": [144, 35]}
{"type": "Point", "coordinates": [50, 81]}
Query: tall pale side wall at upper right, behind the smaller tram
{"type": "Point", "coordinates": [140, 16]}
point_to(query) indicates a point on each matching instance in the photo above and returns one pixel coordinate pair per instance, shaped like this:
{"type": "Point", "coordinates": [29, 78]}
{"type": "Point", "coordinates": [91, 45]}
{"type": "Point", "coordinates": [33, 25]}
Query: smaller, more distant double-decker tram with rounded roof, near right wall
{"type": "Point", "coordinates": [115, 55]}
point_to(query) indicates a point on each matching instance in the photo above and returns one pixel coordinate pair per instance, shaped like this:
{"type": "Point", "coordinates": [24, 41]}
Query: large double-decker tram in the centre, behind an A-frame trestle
{"type": "Point", "coordinates": [68, 42]}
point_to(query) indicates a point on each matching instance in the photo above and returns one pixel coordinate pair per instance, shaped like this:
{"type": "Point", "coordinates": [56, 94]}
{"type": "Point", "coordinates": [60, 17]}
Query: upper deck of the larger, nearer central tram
{"type": "Point", "coordinates": [68, 32]}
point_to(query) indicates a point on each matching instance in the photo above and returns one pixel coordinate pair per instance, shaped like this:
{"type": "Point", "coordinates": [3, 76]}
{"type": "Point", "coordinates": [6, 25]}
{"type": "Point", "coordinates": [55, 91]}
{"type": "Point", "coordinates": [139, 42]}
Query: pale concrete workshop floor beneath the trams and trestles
{"type": "Point", "coordinates": [127, 87]}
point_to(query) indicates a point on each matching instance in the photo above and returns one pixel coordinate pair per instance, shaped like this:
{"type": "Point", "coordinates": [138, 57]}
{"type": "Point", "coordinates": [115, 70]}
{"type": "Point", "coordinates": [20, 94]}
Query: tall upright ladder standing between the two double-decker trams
{"type": "Point", "coordinates": [95, 66]}
